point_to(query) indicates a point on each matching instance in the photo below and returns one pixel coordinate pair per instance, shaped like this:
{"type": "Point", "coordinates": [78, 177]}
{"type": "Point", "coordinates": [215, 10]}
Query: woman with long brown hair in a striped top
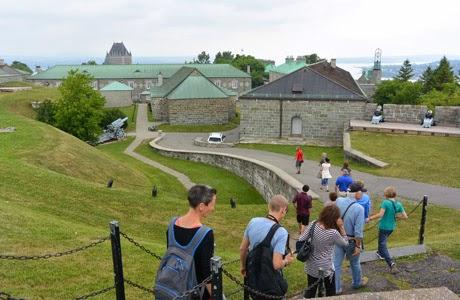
{"type": "Point", "coordinates": [326, 232]}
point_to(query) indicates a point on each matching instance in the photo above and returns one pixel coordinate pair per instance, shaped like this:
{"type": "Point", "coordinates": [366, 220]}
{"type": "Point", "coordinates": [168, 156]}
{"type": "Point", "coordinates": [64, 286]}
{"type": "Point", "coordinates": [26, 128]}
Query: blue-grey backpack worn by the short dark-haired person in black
{"type": "Point", "coordinates": [176, 273]}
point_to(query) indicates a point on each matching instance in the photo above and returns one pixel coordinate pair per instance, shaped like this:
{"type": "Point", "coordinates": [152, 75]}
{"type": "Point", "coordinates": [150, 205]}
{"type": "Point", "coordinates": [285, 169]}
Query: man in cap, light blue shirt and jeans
{"type": "Point", "coordinates": [352, 215]}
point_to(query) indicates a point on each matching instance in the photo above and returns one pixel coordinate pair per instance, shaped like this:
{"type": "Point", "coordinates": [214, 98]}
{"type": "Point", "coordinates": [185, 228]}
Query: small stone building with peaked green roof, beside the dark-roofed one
{"type": "Point", "coordinates": [188, 97]}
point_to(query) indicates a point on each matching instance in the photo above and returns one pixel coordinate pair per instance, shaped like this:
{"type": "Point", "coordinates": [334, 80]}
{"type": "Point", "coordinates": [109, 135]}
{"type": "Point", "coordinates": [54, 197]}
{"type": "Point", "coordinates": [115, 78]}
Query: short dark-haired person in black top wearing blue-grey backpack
{"type": "Point", "coordinates": [186, 262]}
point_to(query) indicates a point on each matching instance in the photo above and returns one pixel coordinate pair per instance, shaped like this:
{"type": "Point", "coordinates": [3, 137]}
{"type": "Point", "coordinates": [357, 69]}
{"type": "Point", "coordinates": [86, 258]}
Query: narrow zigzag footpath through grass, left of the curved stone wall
{"type": "Point", "coordinates": [142, 133]}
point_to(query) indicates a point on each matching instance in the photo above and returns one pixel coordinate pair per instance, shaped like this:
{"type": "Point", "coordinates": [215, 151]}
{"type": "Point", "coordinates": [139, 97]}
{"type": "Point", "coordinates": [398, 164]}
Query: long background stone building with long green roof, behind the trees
{"type": "Point", "coordinates": [142, 77]}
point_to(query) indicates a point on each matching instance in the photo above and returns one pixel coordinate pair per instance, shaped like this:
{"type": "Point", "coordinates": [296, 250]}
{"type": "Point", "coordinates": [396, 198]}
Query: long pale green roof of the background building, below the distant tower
{"type": "Point", "coordinates": [138, 71]}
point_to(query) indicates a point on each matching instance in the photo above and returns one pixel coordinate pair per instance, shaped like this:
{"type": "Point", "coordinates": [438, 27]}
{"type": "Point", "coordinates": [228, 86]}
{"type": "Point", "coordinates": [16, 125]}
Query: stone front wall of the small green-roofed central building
{"type": "Point", "coordinates": [199, 111]}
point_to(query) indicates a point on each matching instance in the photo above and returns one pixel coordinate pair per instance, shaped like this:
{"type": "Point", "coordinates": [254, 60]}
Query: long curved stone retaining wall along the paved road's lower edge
{"type": "Point", "coordinates": [267, 180]}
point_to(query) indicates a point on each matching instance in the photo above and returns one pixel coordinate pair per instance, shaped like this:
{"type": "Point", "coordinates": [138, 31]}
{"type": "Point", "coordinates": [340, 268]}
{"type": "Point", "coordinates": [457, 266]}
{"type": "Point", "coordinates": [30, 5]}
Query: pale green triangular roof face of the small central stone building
{"type": "Point", "coordinates": [196, 86]}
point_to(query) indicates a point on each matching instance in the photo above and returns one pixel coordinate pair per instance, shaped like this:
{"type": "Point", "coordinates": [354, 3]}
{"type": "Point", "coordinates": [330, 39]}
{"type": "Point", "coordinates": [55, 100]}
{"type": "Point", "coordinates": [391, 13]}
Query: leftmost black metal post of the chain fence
{"type": "Point", "coordinates": [117, 261]}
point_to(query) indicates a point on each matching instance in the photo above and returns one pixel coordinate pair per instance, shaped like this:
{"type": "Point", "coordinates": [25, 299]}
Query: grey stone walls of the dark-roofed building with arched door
{"type": "Point", "coordinates": [323, 122]}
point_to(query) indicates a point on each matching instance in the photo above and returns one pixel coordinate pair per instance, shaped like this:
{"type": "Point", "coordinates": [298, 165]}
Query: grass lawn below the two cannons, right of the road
{"type": "Point", "coordinates": [429, 159]}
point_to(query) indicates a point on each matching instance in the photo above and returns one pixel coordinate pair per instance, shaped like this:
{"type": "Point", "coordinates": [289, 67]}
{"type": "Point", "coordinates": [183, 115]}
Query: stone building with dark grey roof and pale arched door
{"type": "Point", "coordinates": [311, 105]}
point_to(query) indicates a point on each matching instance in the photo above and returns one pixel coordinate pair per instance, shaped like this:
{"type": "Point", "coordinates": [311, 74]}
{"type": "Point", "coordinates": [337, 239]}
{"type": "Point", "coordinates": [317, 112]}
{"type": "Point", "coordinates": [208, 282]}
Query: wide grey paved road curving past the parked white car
{"type": "Point", "coordinates": [375, 184]}
